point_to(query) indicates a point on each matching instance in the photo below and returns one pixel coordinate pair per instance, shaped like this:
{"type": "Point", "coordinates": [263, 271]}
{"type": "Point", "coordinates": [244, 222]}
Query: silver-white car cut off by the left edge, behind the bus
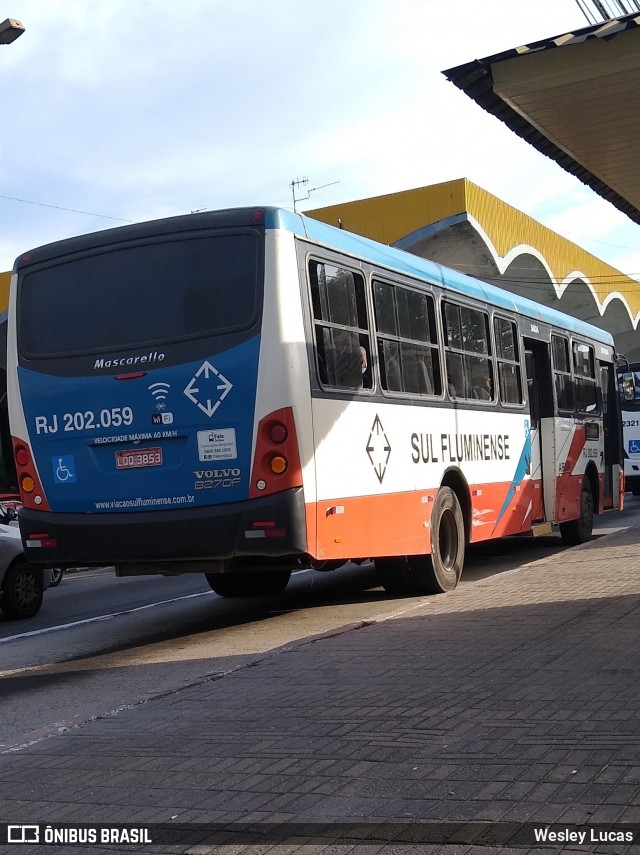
{"type": "Point", "coordinates": [21, 584]}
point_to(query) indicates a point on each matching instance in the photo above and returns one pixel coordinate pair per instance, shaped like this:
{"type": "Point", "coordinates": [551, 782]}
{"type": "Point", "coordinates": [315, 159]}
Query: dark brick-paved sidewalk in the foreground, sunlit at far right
{"type": "Point", "coordinates": [516, 698]}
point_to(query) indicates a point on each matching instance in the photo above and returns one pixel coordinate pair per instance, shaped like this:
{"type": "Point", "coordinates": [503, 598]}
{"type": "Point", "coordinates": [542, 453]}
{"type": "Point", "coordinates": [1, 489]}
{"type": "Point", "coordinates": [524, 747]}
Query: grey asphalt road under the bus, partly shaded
{"type": "Point", "coordinates": [102, 643]}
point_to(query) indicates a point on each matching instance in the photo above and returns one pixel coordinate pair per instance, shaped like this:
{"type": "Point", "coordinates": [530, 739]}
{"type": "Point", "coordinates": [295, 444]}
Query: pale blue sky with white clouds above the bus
{"type": "Point", "coordinates": [119, 111]}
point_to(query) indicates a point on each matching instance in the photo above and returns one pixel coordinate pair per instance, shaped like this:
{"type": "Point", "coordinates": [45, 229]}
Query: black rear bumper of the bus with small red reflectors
{"type": "Point", "coordinates": [270, 528]}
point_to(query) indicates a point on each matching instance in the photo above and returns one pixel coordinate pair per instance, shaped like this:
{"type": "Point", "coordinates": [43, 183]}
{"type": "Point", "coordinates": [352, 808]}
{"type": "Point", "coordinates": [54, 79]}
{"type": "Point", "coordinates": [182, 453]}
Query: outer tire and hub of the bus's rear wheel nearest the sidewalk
{"type": "Point", "coordinates": [440, 573]}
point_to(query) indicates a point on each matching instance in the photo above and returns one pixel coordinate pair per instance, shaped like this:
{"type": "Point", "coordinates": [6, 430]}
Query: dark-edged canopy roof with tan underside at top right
{"type": "Point", "coordinates": [576, 98]}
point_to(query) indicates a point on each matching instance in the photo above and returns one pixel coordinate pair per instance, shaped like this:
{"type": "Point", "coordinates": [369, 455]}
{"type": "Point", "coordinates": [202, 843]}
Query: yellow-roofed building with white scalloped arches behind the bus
{"type": "Point", "coordinates": [462, 226]}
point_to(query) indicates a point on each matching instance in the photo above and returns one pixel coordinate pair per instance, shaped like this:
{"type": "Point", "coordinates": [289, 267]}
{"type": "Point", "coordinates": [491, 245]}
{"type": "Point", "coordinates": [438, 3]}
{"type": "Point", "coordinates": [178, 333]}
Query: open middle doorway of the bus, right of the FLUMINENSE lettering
{"type": "Point", "coordinates": [539, 384]}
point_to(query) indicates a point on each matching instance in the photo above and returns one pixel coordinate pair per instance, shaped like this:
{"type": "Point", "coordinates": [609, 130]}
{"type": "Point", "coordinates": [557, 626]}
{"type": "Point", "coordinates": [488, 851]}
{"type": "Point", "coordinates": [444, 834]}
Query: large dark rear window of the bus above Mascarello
{"type": "Point", "coordinates": [129, 296]}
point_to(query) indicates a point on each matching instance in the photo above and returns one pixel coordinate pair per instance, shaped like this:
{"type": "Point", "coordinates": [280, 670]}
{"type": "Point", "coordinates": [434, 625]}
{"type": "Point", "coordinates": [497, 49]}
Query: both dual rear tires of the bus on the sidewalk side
{"type": "Point", "coordinates": [440, 572]}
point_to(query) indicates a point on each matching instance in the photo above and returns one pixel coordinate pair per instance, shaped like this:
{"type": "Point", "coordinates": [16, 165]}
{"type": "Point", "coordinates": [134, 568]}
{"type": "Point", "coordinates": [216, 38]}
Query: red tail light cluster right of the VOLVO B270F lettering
{"type": "Point", "coordinates": [276, 463]}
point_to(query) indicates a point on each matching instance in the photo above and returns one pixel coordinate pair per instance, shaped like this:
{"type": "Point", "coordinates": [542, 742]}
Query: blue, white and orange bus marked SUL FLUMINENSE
{"type": "Point", "coordinates": [249, 392]}
